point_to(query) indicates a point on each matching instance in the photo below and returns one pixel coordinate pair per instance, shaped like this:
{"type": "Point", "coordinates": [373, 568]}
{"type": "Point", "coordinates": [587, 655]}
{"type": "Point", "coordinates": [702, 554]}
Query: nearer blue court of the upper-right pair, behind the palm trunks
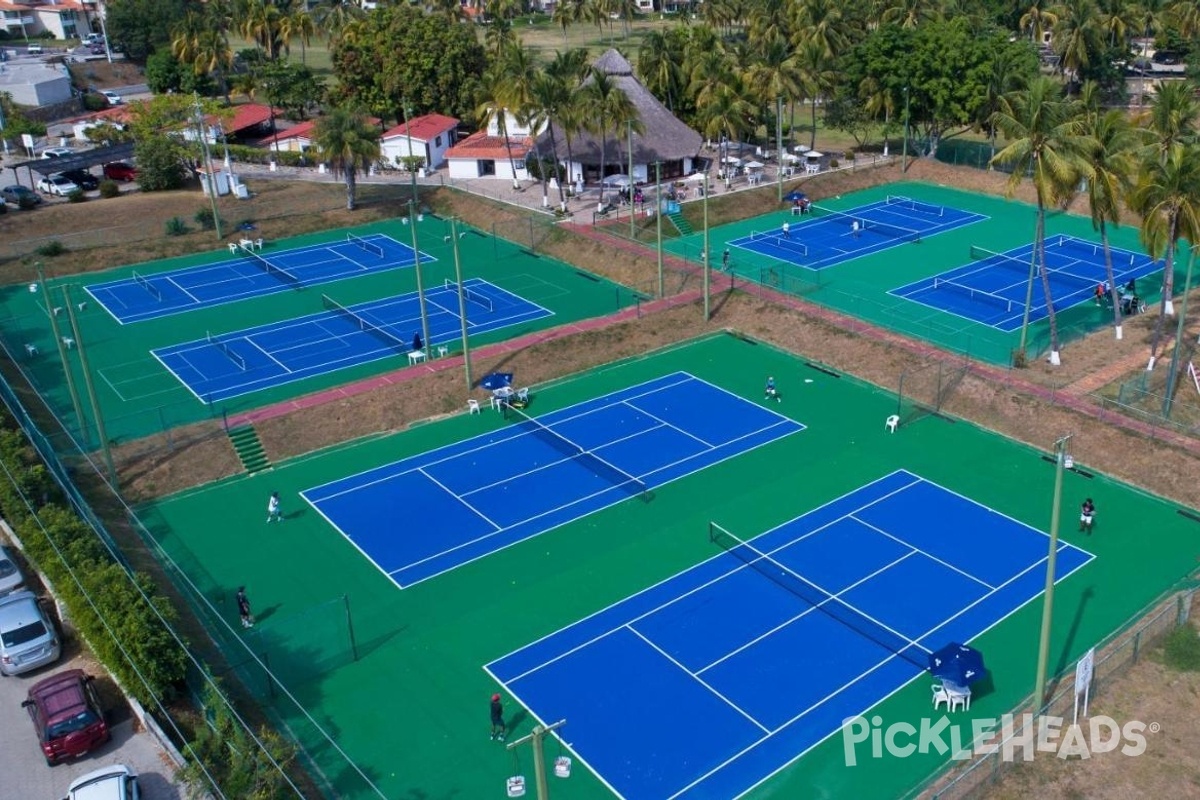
{"type": "Point", "coordinates": [992, 288]}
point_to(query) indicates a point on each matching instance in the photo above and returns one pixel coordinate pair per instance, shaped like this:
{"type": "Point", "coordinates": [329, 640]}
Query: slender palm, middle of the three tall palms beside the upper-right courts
{"type": "Point", "coordinates": [1112, 164]}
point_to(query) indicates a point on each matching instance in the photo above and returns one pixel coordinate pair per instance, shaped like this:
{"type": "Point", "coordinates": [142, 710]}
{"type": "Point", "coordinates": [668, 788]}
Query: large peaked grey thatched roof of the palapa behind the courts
{"type": "Point", "coordinates": [665, 139]}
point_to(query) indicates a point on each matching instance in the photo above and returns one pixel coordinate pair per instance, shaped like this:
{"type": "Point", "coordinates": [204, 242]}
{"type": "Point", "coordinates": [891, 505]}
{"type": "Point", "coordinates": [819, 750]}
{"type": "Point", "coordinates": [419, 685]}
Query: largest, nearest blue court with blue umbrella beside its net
{"type": "Point", "coordinates": [711, 682]}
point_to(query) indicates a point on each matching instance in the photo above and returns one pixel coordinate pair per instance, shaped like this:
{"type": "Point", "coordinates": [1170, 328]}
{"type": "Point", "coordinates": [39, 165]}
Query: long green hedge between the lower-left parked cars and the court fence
{"type": "Point", "coordinates": [57, 539]}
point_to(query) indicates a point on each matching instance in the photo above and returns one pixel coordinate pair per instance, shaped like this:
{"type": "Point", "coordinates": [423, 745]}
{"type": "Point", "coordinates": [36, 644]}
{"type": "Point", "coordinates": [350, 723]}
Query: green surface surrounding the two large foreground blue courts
{"type": "Point", "coordinates": [407, 700]}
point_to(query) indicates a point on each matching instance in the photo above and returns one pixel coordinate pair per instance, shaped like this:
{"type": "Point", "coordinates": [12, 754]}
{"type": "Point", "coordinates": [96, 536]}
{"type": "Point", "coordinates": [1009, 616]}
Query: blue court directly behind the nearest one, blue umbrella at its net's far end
{"type": "Point", "coordinates": [470, 500]}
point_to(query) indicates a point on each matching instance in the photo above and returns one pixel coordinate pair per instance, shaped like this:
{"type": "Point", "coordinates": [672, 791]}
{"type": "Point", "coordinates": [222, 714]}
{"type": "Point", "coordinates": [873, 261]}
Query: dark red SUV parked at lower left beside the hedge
{"type": "Point", "coordinates": [67, 714]}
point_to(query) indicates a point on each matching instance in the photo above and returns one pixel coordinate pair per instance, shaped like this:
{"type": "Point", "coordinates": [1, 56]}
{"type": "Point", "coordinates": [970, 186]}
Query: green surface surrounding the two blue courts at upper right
{"type": "Point", "coordinates": [861, 287]}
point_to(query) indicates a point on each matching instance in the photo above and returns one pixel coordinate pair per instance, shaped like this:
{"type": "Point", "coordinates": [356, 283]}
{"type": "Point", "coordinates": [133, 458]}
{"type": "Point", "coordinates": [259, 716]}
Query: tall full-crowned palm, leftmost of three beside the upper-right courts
{"type": "Point", "coordinates": [1047, 140]}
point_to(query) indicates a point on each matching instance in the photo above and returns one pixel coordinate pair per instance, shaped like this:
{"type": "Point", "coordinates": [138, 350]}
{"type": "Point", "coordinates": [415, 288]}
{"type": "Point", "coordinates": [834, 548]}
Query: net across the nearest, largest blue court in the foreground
{"type": "Point", "coordinates": [821, 600]}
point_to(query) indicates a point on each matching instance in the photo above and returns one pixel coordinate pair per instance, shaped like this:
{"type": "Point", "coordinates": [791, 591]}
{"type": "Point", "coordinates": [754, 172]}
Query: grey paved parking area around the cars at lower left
{"type": "Point", "coordinates": [25, 774]}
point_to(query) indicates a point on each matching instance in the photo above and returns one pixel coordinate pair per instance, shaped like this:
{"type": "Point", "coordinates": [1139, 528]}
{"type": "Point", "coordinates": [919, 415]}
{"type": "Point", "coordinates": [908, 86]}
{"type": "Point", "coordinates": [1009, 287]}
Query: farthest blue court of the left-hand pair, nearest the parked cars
{"type": "Point", "coordinates": [249, 273]}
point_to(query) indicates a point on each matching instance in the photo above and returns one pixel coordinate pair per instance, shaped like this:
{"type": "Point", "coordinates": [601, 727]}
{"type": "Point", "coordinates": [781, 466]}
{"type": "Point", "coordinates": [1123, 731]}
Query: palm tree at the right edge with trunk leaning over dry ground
{"type": "Point", "coordinates": [1168, 199]}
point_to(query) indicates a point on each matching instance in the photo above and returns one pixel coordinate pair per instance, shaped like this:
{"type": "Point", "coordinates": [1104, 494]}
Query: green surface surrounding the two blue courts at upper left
{"type": "Point", "coordinates": [139, 396]}
